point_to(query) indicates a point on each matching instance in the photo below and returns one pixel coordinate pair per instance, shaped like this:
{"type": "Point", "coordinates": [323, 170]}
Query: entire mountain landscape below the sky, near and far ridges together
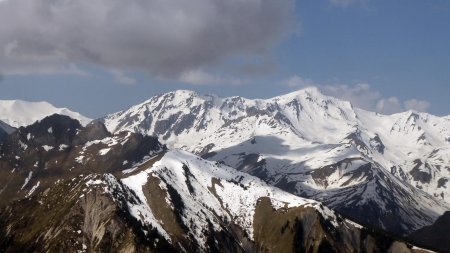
{"type": "Point", "coordinates": [189, 172]}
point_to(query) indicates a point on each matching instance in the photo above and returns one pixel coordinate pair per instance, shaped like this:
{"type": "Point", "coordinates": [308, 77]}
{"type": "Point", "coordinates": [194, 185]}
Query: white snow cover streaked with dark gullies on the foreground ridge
{"type": "Point", "coordinates": [208, 190]}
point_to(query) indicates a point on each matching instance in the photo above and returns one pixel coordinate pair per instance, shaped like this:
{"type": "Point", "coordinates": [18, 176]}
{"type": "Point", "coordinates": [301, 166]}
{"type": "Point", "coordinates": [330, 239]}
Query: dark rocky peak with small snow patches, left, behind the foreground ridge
{"type": "Point", "coordinates": [58, 147]}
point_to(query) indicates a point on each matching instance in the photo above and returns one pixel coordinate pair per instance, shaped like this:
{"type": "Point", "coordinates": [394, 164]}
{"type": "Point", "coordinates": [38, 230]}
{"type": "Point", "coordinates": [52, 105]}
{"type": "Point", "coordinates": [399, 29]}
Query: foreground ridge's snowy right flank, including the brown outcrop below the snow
{"type": "Point", "coordinates": [264, 219]}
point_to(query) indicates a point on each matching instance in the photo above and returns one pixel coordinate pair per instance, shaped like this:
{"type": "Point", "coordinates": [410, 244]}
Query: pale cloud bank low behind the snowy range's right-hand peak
{"type": "Point", "coordinates": [361, 95]}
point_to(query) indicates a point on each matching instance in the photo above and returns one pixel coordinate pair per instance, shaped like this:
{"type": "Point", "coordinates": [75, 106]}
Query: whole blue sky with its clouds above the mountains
{"type": "Point", "coordinates": [386, 56]}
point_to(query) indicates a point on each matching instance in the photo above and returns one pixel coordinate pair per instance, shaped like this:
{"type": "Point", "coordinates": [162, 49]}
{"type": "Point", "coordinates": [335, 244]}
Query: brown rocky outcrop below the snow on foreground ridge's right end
{"type": "Point", "coordinates": [305, 230]}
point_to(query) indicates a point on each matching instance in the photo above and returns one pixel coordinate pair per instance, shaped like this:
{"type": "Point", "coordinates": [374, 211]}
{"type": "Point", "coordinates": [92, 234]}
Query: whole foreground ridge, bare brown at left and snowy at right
{"type": "Point", "coordinates": [181, 203]}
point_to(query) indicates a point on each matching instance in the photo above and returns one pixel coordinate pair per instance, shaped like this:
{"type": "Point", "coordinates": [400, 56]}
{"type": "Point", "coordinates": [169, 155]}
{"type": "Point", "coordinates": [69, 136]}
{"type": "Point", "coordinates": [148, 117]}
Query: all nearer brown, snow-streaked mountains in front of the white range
{"type": "Point", "coordinates": [70, 188]}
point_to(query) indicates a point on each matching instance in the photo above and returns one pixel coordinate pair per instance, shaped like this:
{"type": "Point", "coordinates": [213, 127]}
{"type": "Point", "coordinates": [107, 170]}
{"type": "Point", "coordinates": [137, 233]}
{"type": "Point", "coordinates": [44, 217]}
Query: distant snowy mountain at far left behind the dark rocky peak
{"type": "Point", "coordinates": [17, 113]}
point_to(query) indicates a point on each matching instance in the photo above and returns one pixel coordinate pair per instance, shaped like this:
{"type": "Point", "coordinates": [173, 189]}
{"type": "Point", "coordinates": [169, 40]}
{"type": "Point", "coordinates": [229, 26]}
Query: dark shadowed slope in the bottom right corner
{"type": "Point", "coordinates": [436, 236]}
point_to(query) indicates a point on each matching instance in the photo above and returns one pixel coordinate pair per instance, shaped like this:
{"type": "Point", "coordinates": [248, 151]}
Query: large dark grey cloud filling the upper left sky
{"type": "Point", "coordinates": [164, 37]}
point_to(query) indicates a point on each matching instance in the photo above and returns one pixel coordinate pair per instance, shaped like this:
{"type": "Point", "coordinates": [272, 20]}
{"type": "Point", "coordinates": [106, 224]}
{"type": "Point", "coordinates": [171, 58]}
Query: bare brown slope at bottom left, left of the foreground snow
{"type": "Point", "coordinates": [76, 216]}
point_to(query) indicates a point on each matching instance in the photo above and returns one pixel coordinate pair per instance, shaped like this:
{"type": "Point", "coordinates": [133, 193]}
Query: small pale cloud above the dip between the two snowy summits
{"type": "Point", "coordinates": [199, 77]}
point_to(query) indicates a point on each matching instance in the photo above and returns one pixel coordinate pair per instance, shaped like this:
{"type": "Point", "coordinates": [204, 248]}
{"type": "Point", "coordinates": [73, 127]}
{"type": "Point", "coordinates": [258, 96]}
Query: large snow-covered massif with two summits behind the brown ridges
{"type": "Point", "coordinates": [387, 170]}
